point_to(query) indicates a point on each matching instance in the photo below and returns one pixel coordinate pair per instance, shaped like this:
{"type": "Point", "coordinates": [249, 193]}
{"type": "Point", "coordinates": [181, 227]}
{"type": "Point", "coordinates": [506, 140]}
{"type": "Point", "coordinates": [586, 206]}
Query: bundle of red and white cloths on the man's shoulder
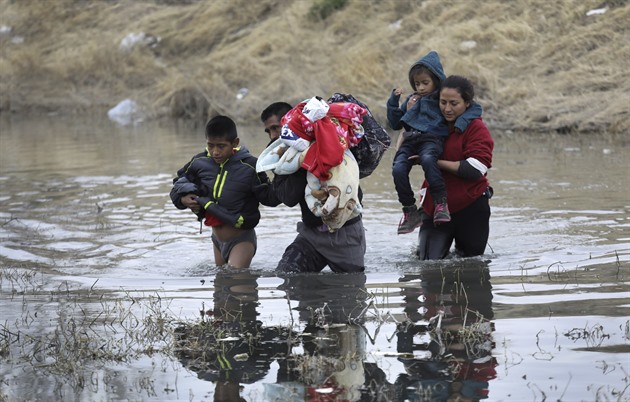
{"type": "Point", "coordinates": [319, 136]}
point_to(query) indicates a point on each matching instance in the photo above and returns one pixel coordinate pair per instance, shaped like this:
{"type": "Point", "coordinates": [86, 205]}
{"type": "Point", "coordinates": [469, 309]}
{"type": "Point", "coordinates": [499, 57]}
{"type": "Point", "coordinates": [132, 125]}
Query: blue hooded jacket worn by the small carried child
{"type": "Point", "coordinates": [425, 116]}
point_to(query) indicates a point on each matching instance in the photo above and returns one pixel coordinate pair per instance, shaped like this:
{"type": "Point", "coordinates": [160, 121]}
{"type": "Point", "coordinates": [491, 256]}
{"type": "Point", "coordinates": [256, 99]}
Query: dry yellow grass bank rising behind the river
{"type": "Point", "coordinates": [537, 65]}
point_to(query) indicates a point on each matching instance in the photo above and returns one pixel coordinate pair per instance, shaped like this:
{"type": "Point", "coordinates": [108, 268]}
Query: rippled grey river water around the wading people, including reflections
{"type": "Point", "coordinates": [108, 292]}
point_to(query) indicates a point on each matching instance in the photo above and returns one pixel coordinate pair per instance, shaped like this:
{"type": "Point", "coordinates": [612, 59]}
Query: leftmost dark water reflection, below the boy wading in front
{"type": "Point", "coordinates": [229, 345]}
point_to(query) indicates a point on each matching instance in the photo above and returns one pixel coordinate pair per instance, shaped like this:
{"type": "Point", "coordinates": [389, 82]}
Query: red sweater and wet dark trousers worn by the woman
{"type": "Point", "coordinates": [467, 198]}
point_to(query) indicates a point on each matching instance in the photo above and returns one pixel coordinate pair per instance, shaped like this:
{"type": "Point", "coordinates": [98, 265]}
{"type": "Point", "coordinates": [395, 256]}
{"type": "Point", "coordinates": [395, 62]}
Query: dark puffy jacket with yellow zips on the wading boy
{"type": "Point", "coordinates": [231, 191]}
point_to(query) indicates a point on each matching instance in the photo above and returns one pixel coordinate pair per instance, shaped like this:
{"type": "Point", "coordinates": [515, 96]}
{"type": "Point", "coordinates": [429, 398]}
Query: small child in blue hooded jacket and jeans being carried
{"type": "Point", "coordinates": [423, 139]}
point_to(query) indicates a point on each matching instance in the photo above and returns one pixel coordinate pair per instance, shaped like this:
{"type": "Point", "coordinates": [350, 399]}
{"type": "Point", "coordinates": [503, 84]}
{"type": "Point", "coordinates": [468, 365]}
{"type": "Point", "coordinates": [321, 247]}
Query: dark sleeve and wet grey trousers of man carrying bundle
{"type": "Point", "coordinates": [315, 247]}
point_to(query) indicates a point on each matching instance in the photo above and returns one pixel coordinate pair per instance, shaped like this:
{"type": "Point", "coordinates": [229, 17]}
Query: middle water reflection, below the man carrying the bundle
{"type": "Point", "coordinates": [332, 309]}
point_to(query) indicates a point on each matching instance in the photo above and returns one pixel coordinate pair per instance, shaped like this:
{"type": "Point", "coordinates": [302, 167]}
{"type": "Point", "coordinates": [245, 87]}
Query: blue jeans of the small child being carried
{"type": "Point", "coordinates": [429, 148]}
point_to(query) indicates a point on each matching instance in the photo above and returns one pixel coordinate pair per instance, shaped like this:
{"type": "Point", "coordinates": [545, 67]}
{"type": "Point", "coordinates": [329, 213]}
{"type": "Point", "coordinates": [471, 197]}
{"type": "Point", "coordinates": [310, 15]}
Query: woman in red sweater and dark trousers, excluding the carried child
{"type": "Point", "coordinates": [464, 164]}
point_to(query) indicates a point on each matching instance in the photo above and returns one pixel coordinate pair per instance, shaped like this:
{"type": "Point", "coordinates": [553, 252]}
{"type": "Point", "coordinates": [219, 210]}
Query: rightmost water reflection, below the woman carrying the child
{"type": "Point", "coordinates": [450, 357]}
